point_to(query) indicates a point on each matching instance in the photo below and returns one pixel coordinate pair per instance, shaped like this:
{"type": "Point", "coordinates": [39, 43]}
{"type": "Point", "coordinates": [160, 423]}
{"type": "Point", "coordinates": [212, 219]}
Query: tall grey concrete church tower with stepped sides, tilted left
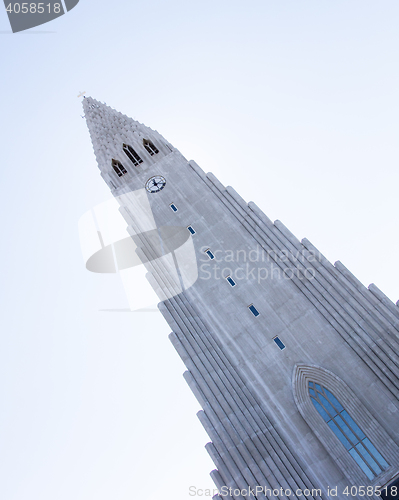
{"type": "Point", "coordinates": [294, 362]}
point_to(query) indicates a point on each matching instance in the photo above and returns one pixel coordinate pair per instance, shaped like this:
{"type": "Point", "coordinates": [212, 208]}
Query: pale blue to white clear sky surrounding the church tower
{"type": "Point", "coordinates": [294, 103]}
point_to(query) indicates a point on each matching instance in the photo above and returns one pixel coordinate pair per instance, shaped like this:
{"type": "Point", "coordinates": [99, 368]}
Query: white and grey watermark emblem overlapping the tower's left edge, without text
{"type": "Point", "coordinates": [154, 263]}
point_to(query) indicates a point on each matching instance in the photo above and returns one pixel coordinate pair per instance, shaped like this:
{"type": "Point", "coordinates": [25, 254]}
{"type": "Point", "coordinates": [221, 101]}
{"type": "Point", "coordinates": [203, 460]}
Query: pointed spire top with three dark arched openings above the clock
{"type": "Point", "coordinates": [123, 146]}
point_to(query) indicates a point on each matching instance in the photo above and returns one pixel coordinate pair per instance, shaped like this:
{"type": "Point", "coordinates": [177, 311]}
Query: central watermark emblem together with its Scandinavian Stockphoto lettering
{"type": "Point", "coordinates": [157, 263]}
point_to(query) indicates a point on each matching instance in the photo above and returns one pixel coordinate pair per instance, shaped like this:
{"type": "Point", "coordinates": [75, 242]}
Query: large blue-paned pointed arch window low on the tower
{"type": "Point", "coordinates": [347, 431]}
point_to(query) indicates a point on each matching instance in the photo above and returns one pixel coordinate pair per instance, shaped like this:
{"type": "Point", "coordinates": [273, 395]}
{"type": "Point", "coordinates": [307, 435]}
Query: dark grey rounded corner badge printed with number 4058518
{"type": "Point", "coordinates": [26, 15]}
